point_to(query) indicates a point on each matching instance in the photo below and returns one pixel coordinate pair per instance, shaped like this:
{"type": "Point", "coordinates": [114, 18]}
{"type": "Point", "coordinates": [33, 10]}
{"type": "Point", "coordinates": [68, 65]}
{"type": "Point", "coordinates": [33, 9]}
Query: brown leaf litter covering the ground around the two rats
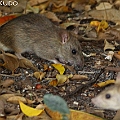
{"type": "Point", "coordinates": [77, 90]}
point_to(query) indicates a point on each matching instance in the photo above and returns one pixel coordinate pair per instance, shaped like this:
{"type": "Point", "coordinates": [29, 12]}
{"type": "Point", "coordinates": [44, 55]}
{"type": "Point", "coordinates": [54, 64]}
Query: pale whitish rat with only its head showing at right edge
{"type": "Point", "coordinates": [110, 97]}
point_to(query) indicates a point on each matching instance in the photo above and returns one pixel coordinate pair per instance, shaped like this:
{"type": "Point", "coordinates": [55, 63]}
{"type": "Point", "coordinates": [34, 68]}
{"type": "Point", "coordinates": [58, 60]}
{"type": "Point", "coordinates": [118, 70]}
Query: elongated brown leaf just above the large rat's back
{"type": "Point", "coordinates": [52, 16]}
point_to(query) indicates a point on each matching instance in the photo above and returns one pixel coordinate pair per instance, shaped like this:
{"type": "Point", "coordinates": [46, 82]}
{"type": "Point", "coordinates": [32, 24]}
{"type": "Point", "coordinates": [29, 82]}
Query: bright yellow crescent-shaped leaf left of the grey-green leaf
{"type": "Point", "coordinates": [29, 111]}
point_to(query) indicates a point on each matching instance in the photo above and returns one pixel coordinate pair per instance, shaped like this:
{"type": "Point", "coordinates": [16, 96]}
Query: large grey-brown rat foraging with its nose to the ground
{"type": "Point", "coordinates": [36, 33]}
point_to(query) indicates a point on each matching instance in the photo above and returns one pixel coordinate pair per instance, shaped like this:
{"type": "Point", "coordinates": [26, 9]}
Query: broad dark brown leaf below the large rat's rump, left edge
{"type": "Point", "coordinates": [11, 62]}
